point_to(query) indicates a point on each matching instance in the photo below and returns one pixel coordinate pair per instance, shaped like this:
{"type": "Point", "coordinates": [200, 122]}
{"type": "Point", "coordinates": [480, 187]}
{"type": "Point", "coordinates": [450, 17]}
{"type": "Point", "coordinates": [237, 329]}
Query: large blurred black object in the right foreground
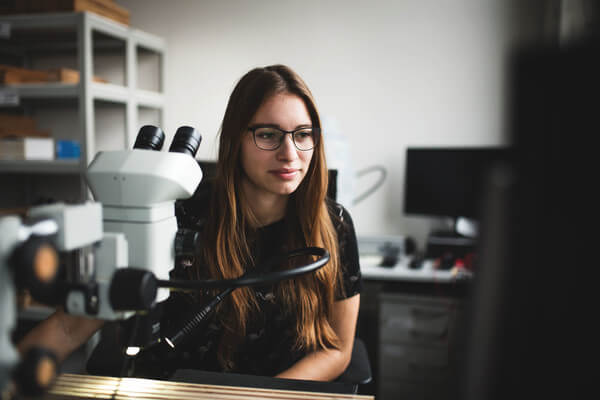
{"type": "Point", "coordinates": [533, 305]}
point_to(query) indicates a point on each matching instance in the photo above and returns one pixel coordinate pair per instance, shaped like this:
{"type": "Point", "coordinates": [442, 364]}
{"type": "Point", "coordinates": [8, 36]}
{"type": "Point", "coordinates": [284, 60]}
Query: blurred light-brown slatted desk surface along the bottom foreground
{"type": "Point", "coordinates": [72, 386]}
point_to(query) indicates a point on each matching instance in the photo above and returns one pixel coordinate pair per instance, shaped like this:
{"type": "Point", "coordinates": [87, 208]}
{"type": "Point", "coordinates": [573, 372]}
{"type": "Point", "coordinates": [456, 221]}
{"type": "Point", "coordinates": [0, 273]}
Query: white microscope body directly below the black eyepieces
{"type": "Point", "coordinates": [137, 189]}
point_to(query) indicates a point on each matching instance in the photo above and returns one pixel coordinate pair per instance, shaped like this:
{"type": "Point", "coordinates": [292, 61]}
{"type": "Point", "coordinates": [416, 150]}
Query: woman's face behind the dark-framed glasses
{"type": "Point", "coordinates": [280, 171]}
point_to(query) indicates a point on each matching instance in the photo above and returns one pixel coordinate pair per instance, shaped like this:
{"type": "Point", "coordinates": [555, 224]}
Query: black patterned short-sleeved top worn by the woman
{"type": "Point", "coordinates": [267, 348]}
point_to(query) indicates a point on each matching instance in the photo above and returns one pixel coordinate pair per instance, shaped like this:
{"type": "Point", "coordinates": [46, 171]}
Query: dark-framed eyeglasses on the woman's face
{"type": "Point", "coordinates": [270, 138]}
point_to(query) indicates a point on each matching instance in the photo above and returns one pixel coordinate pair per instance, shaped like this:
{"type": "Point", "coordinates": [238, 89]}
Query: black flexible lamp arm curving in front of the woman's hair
{"type": "Point", "coordinates": [254, 278]}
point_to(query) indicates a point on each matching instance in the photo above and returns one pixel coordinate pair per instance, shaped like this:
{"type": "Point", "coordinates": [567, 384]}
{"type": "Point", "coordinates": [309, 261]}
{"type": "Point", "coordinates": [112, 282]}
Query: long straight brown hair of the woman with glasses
{"type": "Point", "coordinates": [231, 223]}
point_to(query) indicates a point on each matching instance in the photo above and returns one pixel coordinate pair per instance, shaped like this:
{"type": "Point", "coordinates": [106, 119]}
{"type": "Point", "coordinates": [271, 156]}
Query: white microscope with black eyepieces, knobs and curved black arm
{"type": "Point", "coordinates": [129, 240]}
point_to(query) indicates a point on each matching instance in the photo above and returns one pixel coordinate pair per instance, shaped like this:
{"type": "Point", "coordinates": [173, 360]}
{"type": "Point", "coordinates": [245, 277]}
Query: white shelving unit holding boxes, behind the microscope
{"type": "Point", "coordinates": [101, 116]}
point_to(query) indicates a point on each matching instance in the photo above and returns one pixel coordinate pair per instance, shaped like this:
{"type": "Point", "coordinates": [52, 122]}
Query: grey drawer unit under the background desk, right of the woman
{"type": "Point", "coordinates": [416, 346]}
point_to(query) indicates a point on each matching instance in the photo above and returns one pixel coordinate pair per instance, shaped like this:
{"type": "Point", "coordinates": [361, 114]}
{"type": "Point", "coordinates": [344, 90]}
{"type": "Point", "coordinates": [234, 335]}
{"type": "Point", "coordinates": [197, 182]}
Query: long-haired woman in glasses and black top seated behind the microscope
{"type": "Point", "coordinates": [268, 196]}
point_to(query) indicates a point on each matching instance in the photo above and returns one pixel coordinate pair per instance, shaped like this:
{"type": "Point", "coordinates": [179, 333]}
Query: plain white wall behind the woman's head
{"type": "Point", "coordinates": [391, 73]}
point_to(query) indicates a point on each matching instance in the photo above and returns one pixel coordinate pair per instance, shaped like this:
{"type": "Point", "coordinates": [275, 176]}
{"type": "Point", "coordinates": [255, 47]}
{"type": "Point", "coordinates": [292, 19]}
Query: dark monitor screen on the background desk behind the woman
{"type": "Point", "coordinates": [447, 182]}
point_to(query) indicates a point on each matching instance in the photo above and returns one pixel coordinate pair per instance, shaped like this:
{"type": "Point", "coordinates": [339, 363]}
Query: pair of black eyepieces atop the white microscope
{"type": "Point", "coordinates": [186, 140]}
